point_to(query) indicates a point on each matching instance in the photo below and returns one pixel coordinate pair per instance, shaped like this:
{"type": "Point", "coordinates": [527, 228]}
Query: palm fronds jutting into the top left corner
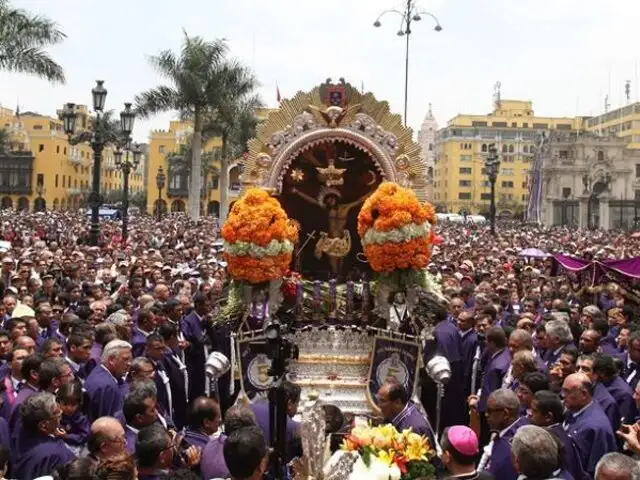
{"type": "Point", "coordinates": [23, 38]}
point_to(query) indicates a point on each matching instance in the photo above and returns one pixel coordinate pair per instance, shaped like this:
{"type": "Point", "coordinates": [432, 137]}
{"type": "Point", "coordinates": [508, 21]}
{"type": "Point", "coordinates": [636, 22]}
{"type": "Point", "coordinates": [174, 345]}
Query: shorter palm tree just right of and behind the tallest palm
{"type": "Point", "coordinates": [234, 121]}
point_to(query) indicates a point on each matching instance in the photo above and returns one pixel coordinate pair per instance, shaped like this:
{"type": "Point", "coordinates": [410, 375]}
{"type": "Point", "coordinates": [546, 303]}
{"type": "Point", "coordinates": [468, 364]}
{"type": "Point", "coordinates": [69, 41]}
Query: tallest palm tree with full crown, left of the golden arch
{"type": "Point", "coordinates": [193, 91]}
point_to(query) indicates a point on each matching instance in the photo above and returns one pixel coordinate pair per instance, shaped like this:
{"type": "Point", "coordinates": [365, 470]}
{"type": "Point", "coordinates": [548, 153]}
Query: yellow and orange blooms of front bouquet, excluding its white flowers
{"type": "Point", "coordinates": [409, 451]}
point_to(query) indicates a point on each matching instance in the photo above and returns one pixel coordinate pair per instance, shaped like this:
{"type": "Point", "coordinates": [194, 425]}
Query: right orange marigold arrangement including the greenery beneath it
{"type": "Point", "coordinates": [396, 231]}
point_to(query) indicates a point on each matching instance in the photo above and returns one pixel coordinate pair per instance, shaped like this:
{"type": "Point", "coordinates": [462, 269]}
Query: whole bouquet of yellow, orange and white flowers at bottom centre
{"type": "Point", "coordinates": [385, 453]}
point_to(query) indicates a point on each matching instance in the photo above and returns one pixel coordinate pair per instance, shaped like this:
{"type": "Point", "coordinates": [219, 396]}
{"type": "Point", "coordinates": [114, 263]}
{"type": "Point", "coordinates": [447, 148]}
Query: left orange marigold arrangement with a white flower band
{"type": "Point", "coordinates": [258, 238]}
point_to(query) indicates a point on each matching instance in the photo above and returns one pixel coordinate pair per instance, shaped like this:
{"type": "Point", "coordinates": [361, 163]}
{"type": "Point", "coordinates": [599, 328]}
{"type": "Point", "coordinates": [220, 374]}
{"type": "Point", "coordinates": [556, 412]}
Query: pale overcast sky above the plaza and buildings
{"type": "Point", "coordinates": [564, 55]}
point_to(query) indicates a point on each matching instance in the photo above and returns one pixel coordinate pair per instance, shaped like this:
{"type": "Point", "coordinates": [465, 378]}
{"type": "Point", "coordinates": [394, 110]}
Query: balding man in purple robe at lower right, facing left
{"type": "Point", "coordinates": [586, 423]}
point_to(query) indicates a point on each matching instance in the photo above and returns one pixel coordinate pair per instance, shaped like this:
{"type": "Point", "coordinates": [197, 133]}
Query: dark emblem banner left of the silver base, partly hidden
{"type": "Point", "coordinates": [254, 368]}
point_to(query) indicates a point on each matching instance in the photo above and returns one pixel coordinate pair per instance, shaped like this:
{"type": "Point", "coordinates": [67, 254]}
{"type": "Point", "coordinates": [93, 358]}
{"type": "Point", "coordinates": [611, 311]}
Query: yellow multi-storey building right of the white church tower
{"type": "Point", "coordinates": [460, 182]}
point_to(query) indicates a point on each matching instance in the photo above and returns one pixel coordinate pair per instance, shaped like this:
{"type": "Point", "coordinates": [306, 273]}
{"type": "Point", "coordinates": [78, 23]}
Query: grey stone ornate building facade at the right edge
{"type": "Point", "coordinates": [589, 181]}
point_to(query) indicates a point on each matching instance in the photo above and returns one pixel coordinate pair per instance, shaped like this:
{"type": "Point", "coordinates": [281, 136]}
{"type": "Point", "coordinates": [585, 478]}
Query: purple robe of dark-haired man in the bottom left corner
{"type": "Point", "coordinates": [37, 455]}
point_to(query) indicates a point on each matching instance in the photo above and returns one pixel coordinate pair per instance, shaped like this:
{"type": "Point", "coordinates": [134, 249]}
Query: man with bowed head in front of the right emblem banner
{"type": "Point", "coordinates": [397, 409]}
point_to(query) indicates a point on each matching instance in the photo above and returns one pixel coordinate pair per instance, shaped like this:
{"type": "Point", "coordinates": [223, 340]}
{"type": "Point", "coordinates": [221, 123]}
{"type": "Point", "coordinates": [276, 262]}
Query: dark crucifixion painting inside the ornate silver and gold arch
{"type": "Point", "coordinates": [323, 190]}
